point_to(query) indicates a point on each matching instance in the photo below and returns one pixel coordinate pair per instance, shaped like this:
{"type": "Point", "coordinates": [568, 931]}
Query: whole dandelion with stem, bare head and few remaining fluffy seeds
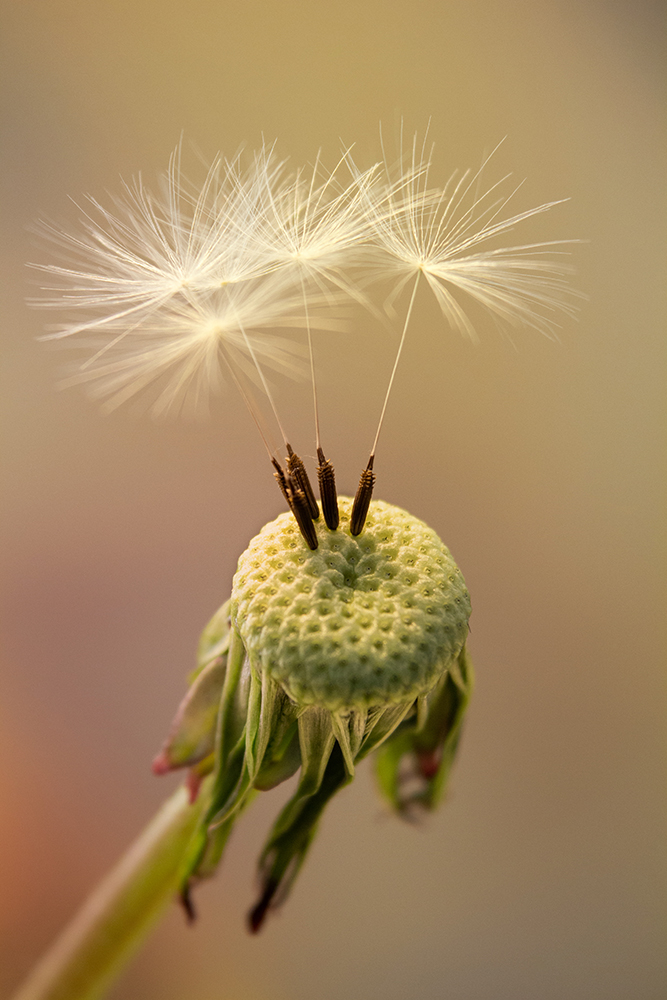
{"type": "Point", "coordinates": [345, 635]}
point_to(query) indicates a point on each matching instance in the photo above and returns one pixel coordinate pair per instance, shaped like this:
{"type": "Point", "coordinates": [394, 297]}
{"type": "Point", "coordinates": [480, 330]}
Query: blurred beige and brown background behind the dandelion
{"type": "Point", "coordinates": [539, 463]}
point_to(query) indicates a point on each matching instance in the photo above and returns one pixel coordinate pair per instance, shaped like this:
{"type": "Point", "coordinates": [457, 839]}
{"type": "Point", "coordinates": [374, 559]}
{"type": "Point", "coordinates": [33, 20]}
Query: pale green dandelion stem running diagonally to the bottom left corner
{"type": "Point", "coordinates": [113, 922]}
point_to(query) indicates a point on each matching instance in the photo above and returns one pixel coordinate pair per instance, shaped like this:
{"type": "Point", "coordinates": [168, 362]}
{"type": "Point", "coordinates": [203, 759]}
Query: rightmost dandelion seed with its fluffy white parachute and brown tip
{"type": "Point", "coordinates": [423, 232]}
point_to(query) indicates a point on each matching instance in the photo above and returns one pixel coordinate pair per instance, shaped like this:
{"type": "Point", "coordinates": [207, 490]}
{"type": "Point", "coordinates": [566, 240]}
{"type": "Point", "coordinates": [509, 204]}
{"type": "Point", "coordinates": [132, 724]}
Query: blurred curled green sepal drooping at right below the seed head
{"type": "Point", "coordinates": [414, 764]}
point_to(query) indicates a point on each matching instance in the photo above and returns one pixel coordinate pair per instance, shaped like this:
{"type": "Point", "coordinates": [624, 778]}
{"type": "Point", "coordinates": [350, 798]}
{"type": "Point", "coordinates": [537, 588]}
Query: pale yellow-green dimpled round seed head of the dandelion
{"type": "Point", "coordinates": [361, 621]}
